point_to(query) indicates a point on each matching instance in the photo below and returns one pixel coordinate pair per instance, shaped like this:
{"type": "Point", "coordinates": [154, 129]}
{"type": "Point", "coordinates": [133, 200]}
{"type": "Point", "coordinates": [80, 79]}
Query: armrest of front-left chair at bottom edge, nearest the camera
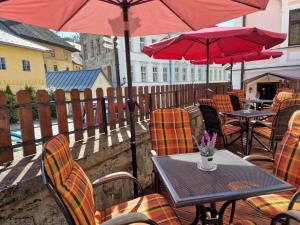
{"type": "Point", "coordinates": [129, 219]}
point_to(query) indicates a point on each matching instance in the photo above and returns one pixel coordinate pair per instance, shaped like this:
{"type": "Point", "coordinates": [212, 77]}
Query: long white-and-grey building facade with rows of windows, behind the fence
{"type": "Point", "coordinates": [147, 71]}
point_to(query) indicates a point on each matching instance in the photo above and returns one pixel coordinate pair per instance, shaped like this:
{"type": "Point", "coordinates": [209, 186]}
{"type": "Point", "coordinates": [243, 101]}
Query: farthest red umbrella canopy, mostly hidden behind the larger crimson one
{"type": "Point", "coordinates": [253, 56]}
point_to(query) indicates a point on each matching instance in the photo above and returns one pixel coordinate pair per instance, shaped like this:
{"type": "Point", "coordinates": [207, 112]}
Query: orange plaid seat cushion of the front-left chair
{"type": "Point", "coordinates": [154, 206]}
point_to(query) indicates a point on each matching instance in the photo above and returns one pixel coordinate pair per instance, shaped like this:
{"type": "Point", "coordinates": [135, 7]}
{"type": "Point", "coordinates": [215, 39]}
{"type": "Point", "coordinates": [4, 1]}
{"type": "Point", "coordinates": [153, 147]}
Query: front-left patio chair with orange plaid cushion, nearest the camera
{"type": "Point", "coordinates": [73, 192]}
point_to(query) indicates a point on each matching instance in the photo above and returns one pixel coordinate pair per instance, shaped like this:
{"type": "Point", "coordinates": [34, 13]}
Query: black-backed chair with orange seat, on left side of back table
{"type": "Point", "coordinates": [214, 124]}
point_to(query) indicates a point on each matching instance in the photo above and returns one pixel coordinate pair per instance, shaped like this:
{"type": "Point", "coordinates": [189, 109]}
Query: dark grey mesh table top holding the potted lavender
{"type": "Point", "coordinates": [234, 179]}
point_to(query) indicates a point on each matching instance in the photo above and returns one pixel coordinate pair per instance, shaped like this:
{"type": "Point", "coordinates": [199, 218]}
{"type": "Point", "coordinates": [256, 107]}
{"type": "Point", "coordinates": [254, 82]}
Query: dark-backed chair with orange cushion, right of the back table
{"type": "Point", "coordinates": [275, 130]}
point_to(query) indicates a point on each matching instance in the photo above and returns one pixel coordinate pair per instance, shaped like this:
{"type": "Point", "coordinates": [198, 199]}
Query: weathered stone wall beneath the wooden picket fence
{"type": "Point", "coordinates": [29, 202]}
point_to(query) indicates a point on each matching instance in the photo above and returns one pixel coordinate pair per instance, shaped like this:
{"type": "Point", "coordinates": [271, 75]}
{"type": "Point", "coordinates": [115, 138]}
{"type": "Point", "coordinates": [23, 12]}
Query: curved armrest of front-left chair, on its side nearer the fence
{"type": "Point", "coordinates": [118, 176]}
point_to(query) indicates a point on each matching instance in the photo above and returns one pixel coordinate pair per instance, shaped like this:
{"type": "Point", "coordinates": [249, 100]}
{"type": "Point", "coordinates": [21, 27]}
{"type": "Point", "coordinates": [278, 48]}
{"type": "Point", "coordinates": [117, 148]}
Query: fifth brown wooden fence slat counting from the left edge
{"type": "Point", "coordinates": [77, 114]}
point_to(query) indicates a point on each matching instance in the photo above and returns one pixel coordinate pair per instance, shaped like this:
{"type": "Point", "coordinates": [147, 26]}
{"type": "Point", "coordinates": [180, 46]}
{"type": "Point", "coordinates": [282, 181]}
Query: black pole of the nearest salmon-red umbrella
{"type": "Point", "coordinates": [130, 101]}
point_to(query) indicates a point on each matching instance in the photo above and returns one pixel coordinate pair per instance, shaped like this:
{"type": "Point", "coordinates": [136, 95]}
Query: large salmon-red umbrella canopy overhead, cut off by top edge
{"type": "Point", "coordinates": [145, 16]}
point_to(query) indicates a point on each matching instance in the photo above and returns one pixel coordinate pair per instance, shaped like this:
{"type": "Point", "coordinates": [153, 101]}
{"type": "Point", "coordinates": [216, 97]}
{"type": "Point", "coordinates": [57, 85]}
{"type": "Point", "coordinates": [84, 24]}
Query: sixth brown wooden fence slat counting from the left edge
{"type": "Point", "coordinates": [89, 111]}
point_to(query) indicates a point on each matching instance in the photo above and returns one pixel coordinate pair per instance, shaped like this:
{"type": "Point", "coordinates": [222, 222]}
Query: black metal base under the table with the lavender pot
{"type": "Point", "coordinates": [210, 215]}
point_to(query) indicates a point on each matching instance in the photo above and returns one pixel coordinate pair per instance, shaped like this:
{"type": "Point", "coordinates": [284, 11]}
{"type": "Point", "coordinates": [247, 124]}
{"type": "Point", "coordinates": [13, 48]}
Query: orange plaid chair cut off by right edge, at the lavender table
{"type": "Point", "coordinates": [286, 167]}
